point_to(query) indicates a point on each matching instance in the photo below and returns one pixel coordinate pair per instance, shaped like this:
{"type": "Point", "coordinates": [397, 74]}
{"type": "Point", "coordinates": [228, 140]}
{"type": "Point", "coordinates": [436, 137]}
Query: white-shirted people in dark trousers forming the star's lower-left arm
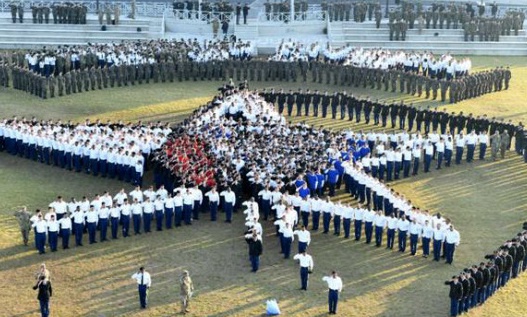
{"type": "Point", "coordinates": [138, 211]}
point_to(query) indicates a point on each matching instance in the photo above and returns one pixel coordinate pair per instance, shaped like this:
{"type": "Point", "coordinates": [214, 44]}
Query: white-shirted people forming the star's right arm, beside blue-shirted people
{"type": "Point", "coordinates": [386, 155]}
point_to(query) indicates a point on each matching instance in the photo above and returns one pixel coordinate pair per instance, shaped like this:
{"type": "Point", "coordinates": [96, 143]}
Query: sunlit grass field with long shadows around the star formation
{"type": "Point", "coordinates": [485, 200]}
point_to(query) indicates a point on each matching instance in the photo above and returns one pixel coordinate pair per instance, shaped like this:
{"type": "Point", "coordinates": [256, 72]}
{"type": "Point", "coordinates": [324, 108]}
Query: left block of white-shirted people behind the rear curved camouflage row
{"type": "Point", "coordinates": [64, 58]}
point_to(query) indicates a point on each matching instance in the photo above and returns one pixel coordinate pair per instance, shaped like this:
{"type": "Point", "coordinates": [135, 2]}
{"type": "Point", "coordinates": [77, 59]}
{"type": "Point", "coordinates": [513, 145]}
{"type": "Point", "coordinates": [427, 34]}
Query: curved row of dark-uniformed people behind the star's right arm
{"type": "Point", "coordinates": [341, 105]}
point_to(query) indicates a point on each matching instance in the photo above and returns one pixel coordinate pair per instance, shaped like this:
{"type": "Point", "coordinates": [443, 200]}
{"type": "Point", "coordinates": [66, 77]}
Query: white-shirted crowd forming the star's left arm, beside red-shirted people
{"type": "Point", "coordinates": [113, 150]}
